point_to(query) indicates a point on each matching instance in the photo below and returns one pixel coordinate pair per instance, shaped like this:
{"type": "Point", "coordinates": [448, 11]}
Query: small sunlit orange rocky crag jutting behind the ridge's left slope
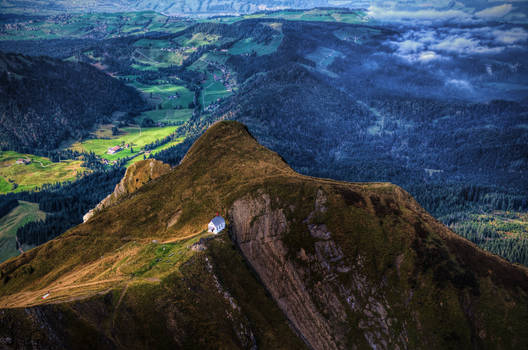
{"type": "Point", "coordinates": [136, 176]}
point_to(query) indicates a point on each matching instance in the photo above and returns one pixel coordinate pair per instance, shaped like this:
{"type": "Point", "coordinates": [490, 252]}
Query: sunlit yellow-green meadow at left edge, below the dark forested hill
{"type": "Point", "coordinates": [40, 171]}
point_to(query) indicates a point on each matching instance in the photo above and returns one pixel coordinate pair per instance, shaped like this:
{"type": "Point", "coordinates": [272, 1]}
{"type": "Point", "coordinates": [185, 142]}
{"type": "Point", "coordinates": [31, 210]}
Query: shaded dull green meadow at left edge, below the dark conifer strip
{"type": "Point", "coordinates": [9, 224]}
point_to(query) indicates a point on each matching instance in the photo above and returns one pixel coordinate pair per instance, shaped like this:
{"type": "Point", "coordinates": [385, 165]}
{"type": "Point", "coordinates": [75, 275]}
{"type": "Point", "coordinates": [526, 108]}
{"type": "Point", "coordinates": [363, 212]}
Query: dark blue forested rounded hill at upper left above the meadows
{"type": "Point", "coordinates": [44, 101]}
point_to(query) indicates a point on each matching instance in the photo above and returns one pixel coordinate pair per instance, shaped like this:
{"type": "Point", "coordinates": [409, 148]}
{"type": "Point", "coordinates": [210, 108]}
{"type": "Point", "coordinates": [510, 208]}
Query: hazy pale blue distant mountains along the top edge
{"type": "Point", "coordinates": [438, 9]}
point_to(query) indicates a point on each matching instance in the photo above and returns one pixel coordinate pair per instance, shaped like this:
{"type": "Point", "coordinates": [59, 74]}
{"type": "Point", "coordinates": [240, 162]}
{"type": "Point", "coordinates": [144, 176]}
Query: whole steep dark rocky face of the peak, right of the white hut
{"type": "Point", "coordinates": [332, 294]}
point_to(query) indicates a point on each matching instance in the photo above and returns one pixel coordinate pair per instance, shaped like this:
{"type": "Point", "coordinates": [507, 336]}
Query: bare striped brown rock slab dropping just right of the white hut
{"type": "Point", "coordinates": [308, 288]}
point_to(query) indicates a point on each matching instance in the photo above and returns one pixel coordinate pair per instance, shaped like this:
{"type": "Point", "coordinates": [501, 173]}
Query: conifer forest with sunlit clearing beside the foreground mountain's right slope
{"type": "Point", "coordinates": [468, 211]}
